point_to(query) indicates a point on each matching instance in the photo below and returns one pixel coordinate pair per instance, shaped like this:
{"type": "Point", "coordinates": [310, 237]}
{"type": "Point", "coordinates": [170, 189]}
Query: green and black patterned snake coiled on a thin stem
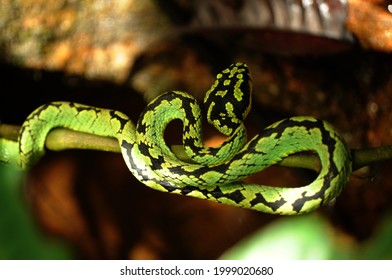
{"type": "Point", "coordinates": [213, 173]}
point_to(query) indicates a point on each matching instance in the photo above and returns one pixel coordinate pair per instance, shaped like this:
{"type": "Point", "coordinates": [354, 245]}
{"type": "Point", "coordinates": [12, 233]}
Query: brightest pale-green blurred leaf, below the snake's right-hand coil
{"type": "Point", "coordinates": [307, 237]}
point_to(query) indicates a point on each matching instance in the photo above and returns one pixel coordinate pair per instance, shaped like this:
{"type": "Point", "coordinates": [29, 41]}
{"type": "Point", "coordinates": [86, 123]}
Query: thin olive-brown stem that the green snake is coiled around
{"type": "Point", "coordinates": [63, 139]}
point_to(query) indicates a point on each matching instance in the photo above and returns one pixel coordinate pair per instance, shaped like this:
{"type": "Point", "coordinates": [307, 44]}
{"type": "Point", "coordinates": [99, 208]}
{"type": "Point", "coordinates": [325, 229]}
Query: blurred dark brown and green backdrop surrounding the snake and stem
{"type": "Point", "coordinates": [327, 59]}
